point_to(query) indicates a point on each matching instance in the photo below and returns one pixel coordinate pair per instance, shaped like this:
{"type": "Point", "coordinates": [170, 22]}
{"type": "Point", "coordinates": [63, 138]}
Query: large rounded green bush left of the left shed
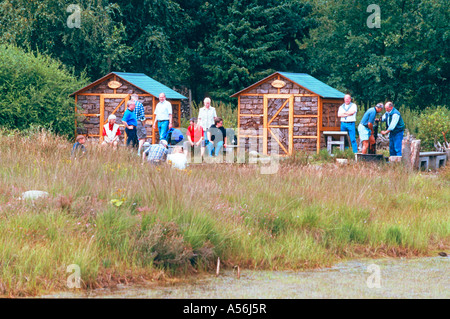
{"type": "Point", "coordinates": [35, 91]}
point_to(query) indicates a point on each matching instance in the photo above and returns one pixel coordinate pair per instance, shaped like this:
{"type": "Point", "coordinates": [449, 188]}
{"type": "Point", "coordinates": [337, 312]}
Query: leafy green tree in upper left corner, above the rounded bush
{"type": "Point", "coordinates": [97, 46]}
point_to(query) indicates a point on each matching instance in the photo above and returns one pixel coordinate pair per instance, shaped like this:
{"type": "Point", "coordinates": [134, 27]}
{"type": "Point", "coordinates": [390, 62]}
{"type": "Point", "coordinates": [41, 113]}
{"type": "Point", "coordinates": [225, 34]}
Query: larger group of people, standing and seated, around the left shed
{"type": "Point", "coordinates": [205, 133]}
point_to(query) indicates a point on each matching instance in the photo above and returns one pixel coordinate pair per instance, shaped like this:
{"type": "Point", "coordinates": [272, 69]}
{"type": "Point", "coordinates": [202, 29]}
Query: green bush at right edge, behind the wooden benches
{"type": "Point", "coordinates": [432, 122]}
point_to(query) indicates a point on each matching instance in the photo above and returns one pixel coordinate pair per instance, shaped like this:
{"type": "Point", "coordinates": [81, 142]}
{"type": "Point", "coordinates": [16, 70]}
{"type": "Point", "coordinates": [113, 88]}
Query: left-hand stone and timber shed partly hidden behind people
{"type": "Point", "coordinates": [110, 94]}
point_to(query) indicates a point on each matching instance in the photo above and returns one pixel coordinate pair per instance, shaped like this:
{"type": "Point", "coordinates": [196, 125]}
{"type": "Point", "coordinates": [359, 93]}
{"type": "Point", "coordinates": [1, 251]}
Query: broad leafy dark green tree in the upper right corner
{"type": "Point", "coordinates": [405, 60]}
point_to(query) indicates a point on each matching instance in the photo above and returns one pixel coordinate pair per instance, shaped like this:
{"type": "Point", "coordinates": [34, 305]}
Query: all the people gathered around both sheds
{"type": "Point", "coordinates": [208, 134]}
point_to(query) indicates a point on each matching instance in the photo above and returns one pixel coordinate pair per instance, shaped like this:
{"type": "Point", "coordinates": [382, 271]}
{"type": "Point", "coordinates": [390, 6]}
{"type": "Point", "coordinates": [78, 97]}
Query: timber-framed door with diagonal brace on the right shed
{"type": "Point", "coordinates": [278, 124]}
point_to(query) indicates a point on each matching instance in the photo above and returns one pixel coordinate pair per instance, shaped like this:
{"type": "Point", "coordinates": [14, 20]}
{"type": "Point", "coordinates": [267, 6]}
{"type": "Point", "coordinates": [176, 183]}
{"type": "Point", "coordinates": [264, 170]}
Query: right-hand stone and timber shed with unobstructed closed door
{"type": "Point", "coordinates": [288, 110]}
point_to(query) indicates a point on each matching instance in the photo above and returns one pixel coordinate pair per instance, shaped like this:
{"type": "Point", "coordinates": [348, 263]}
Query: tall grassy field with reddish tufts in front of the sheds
{"type": "Point", "coordinates": [123, 222]}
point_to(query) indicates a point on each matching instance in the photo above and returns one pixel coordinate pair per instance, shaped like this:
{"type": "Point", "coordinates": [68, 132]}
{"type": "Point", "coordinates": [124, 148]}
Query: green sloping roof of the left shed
{"type": "Point", "coordinates": [149, 85]}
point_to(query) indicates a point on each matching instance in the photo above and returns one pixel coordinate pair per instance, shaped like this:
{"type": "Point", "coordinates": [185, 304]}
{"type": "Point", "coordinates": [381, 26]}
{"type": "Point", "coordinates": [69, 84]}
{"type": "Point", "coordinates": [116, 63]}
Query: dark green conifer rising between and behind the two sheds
{"type": "Point", "coordinates": [253, 40]}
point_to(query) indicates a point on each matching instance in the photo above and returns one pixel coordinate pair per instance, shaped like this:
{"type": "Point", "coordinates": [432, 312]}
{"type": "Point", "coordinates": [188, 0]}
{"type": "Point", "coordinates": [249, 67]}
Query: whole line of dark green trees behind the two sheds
{"type": "Point", "coordinates": [220, 47]}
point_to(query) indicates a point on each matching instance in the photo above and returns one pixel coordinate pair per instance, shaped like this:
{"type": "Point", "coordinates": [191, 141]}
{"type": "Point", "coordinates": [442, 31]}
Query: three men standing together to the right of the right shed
{"type": "Point", "coordinates": [394, 122]}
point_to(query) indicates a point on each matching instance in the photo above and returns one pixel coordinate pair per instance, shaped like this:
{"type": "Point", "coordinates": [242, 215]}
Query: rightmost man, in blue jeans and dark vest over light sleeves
{"type": "Point", "coordinates": [396, 128]}
